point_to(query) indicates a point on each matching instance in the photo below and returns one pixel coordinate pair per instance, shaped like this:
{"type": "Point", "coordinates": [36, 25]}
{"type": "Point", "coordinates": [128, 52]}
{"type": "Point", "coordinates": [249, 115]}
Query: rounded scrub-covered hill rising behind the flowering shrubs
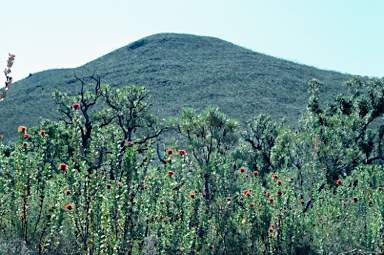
{"type": "Point", "coordinates": [181, 71]}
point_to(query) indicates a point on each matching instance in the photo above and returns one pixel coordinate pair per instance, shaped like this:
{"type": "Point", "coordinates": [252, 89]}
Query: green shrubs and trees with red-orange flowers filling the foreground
{"type": "Point", "coordinates": [98, 182]}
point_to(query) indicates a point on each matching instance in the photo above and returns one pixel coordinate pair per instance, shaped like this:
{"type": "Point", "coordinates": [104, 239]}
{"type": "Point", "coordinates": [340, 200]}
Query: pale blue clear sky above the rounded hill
{"type": "Point", "coordinates": [339, 35]}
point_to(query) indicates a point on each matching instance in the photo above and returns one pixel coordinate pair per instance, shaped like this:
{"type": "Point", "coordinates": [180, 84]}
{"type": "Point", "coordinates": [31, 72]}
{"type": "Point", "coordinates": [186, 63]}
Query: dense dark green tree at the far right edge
{"type": "Point", "coordinates": [350, 129]}
